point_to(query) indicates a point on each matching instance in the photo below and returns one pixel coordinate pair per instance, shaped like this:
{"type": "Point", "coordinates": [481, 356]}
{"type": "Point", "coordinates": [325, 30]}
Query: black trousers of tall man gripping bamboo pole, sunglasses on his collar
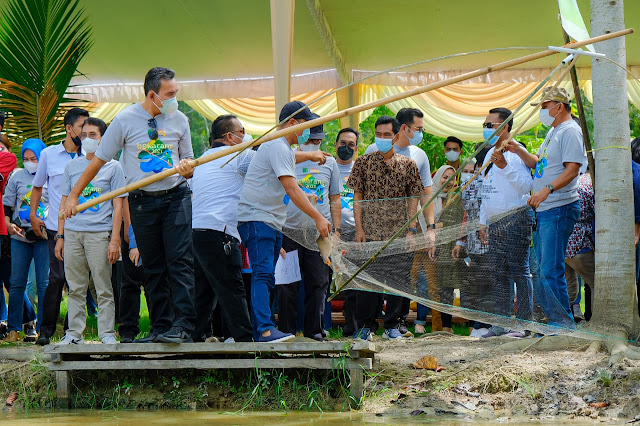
{"type": "Point", "coordinates": [162, 224]}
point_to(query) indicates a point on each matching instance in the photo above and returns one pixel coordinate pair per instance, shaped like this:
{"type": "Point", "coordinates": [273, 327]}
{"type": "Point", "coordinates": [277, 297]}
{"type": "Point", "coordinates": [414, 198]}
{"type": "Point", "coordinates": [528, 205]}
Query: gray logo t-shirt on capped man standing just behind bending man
{"type": "Point", "coordinates": [320, 180]}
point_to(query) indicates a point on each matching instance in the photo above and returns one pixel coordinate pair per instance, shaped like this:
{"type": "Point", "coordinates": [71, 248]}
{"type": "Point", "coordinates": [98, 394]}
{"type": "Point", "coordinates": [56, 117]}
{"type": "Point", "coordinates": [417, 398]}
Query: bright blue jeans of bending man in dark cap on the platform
{"type": "Point", "coordinates": [263, 244]}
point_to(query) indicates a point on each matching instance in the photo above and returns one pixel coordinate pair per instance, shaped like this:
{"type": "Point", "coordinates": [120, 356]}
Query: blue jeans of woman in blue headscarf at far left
{"type": "Point", "coordinates": [21, 255]}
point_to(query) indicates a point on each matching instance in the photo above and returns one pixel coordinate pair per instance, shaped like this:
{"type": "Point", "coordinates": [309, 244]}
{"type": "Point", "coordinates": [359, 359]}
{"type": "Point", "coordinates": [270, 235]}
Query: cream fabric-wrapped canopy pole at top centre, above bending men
{"type": "Point", "coordinates": [282, 24]}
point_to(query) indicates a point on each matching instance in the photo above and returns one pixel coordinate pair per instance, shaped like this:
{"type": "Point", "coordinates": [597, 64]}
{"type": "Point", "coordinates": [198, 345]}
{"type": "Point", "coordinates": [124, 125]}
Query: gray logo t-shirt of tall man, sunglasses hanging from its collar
{"type": "Point", "coordinates": [142, 157]}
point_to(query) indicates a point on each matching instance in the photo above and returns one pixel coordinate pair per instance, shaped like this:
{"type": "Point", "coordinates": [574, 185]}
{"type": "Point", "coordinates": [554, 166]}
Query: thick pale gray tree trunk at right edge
{"type": "Point", "coordinates": [616, 308]}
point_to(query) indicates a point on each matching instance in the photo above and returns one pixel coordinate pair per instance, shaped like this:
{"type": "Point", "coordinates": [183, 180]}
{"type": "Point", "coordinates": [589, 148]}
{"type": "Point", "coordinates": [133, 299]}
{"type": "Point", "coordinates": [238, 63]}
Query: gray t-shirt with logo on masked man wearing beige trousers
{"type": "Point", "coordinates": [99, 217]}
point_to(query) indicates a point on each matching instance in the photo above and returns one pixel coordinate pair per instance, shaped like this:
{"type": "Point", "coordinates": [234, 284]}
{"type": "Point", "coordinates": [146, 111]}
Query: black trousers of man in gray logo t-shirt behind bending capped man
{"type": "Point", "coordinates": [315, 274]}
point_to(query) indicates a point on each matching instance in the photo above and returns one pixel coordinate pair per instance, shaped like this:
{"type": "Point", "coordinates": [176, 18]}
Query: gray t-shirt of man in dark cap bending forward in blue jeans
{"type": "Point", "coordinates": [262, 193]}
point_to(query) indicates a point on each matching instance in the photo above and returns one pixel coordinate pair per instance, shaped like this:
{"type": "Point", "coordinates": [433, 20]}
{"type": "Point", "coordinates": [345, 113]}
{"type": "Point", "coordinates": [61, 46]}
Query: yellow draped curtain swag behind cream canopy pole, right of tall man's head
{"type": "Point", "coordinates": [258, 114]}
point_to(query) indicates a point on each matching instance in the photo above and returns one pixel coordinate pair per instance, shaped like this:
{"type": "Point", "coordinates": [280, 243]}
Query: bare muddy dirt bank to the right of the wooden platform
{"type": "Point", "coordinates": [503, 379]}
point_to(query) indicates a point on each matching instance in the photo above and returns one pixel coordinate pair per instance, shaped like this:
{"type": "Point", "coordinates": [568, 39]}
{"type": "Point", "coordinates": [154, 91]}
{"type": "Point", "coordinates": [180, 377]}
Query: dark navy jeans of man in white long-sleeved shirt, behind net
{"type": "Point", "coordinates": [509, 244]}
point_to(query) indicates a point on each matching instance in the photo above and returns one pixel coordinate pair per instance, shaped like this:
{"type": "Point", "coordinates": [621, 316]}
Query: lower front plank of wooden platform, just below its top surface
{"type": "Point", "coordinates": [159, 364]}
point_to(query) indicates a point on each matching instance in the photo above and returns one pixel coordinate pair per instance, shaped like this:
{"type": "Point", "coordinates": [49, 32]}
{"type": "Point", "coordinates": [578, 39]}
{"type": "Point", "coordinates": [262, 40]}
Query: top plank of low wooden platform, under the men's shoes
{"type": "Point", "coordinates": [213, 348]}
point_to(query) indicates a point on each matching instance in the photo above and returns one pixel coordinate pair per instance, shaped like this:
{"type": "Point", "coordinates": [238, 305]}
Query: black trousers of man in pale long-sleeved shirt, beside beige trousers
{"type": "Point", "coordinates": [53, 294]}
